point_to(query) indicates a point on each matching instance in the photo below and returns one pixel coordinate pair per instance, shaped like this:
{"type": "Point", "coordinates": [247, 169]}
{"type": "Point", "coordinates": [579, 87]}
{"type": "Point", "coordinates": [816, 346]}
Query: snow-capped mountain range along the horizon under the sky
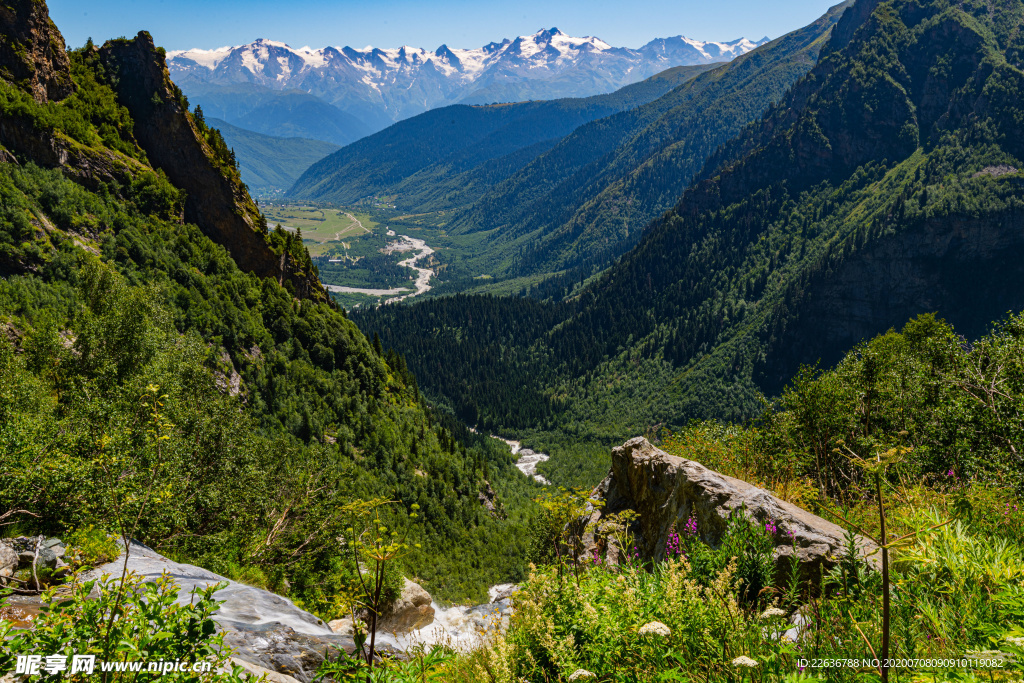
{"type": "Point", "coordinates": [381, 87]}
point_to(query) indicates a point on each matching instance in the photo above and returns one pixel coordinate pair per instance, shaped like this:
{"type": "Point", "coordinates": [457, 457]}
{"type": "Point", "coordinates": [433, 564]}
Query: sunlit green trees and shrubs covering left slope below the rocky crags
{"type": "Point", "coordinates": [264, 393]}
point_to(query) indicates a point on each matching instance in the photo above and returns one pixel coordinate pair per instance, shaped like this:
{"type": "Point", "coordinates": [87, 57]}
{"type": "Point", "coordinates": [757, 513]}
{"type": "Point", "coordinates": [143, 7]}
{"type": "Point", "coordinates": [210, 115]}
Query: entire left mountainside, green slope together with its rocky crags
{"type": "Point", "coordinates": [161, 341]}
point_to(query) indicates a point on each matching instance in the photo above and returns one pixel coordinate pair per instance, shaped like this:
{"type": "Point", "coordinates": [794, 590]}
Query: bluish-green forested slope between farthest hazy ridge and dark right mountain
{"type": "Point", "coordinates": [587, 200]}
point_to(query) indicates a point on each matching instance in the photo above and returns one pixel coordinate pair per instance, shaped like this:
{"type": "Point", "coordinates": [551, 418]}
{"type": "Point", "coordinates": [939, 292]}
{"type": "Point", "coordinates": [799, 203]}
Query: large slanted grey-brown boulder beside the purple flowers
{"type": "Point", "coordinates": [666, 491]}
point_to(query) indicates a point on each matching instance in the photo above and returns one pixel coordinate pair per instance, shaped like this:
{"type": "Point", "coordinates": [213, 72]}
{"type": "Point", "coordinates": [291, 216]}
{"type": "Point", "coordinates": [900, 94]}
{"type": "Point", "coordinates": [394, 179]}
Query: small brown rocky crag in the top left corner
{"type": "Point", "coordinates": [32, 52]}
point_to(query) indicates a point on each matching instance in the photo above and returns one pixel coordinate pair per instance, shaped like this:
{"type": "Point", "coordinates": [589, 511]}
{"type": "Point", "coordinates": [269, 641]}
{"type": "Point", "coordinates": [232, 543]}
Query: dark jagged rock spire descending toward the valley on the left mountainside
{"type": "Point", "coordinates": [217, 201]}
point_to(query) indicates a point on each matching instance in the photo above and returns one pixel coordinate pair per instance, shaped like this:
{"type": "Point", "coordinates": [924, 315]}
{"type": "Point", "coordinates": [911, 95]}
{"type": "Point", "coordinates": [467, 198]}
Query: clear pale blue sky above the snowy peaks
{"type": "Point", "coordinates": [185, 24]}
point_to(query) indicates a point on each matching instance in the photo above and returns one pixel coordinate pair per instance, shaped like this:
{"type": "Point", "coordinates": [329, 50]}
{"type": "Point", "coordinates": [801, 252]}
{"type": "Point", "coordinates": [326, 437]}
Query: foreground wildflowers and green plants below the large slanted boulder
{"type": "Point", "coordinates": [664, 622]}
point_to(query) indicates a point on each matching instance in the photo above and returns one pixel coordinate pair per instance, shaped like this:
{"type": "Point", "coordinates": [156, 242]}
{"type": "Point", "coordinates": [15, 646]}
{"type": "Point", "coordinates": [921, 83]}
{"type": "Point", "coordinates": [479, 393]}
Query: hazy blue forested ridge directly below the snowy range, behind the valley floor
{"type": "Point", "coordinates": [421, 161]}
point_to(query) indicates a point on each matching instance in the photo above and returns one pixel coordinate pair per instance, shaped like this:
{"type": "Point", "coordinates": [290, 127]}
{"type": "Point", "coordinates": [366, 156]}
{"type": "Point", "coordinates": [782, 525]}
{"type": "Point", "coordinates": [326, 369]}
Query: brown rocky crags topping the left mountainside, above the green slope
{"type": "Point", "coordinates": [161, 133]}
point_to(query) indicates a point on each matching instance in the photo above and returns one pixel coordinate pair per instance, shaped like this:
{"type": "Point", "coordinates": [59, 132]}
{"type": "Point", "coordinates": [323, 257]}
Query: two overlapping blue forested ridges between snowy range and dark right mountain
{"type": "Point", "coordinates": [566, 184]}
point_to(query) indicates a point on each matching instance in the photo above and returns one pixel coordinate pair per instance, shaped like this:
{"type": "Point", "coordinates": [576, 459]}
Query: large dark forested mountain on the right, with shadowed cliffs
{"type": "Point", "coordinates": [883, 186]}
